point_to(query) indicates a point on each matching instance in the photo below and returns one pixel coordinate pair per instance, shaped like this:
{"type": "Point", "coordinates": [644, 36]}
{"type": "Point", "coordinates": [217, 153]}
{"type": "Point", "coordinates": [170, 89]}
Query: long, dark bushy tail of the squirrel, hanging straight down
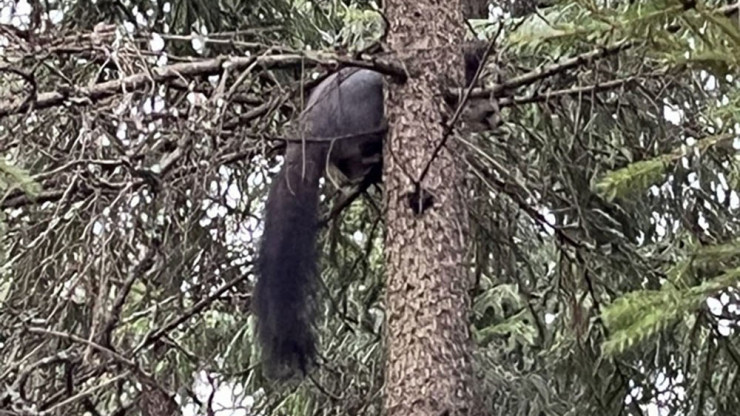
{"type": "Point", "coordinates": [287, 264]}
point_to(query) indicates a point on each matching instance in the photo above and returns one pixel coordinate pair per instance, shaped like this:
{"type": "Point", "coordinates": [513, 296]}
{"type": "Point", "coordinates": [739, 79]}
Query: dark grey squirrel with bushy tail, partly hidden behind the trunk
{"type": "Point", "coordinates": [343, 123]}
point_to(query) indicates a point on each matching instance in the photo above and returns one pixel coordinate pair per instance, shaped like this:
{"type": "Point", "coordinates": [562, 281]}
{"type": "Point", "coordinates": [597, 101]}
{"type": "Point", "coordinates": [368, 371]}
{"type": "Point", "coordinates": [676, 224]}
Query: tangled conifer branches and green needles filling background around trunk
{"type": "Point", "coordinates": [603, 211]}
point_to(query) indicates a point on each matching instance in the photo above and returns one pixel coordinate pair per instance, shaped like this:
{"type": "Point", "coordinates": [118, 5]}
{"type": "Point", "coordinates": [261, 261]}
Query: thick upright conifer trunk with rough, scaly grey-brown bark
{"type": "Point", "coordinates": [428, 367]}
